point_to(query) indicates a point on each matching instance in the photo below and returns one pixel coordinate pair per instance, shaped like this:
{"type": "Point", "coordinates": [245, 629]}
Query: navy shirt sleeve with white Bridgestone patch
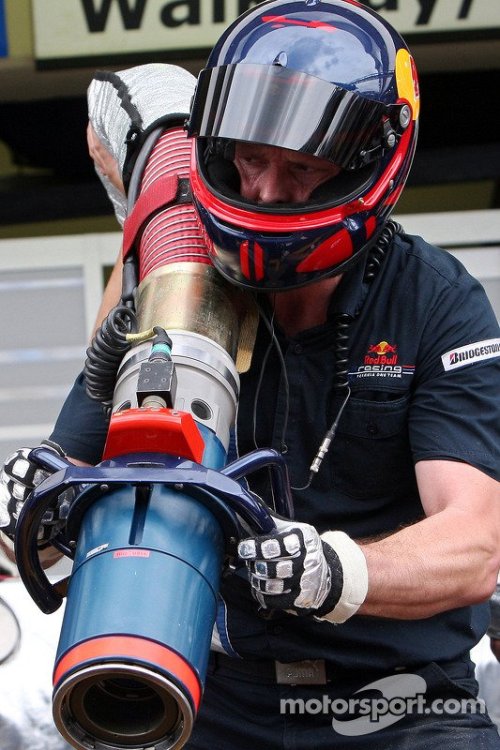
{"type": "Point", "coordinates": [455, 412]}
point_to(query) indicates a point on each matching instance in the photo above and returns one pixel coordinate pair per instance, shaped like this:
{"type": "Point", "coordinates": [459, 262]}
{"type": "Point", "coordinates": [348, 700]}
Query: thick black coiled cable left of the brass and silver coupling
{"type": "Point", "coordinates": [105, 354]}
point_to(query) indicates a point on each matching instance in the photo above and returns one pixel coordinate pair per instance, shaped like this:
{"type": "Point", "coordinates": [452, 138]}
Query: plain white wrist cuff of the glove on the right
{"type": "Point", "coordinates": [355, 576]}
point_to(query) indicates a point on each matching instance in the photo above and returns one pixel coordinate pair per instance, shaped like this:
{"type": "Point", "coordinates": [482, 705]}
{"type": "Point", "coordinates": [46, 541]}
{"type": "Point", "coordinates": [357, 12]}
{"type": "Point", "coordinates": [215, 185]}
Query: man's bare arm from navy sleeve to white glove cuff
{"type": "Point", "coordinates": [448, 560]}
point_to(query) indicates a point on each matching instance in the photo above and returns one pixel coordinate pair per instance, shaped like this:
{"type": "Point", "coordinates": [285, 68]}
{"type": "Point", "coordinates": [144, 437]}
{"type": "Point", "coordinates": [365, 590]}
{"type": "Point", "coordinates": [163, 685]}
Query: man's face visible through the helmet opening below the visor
{"type": "Point", "coordinates": [276, 175]}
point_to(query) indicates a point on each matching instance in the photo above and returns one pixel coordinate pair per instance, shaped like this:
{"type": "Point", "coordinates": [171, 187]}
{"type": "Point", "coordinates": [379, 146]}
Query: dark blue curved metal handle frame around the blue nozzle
{"type": "Point", "coordinates": [218, 490]}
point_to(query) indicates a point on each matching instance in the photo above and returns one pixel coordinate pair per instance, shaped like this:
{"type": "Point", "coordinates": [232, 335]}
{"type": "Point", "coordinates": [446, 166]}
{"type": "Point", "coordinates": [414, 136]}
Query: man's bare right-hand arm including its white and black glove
{"type": "Point", "coordinates": [448, 560]}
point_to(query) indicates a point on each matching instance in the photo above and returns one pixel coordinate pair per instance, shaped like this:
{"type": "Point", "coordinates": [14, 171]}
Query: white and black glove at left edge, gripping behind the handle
{"type": "Point", "coordinates": [19, 476]}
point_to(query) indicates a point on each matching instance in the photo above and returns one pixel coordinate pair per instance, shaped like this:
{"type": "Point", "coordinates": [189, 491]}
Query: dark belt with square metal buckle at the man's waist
{"type": "Point", "coordinates": [305, 672]}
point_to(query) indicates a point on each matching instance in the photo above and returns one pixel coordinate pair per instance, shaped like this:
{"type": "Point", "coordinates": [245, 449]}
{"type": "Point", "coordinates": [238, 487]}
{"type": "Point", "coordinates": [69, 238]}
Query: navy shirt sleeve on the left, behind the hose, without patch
{"type": "Point", "coordinates": [82, 426]}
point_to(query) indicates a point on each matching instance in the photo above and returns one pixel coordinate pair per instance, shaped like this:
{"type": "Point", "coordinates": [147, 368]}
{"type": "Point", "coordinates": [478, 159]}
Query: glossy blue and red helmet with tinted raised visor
{"type": "Point", "coordinates": [328, 78]}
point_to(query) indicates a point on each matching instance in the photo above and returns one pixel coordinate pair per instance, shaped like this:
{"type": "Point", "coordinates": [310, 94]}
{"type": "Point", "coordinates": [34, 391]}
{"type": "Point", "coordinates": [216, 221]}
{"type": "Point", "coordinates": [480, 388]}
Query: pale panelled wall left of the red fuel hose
{"type": "Point", "coordinates": [50, 290]}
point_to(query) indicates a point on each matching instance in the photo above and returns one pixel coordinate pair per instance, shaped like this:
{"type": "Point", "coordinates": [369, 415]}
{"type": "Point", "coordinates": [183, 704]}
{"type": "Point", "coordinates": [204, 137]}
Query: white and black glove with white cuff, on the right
{"type": "Point", "coordinates": [297, 570]}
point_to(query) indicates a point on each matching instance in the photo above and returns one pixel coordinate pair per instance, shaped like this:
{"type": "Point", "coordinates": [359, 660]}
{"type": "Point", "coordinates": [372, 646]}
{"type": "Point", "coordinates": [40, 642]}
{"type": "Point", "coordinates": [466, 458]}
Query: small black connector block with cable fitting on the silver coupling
{"type": "Point", "coordinates": [157, 383]}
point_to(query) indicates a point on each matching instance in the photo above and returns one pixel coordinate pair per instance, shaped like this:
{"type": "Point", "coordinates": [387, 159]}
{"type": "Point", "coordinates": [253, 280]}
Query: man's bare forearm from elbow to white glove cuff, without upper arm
{"type": "Point", "coordinates": [443, 562]}
